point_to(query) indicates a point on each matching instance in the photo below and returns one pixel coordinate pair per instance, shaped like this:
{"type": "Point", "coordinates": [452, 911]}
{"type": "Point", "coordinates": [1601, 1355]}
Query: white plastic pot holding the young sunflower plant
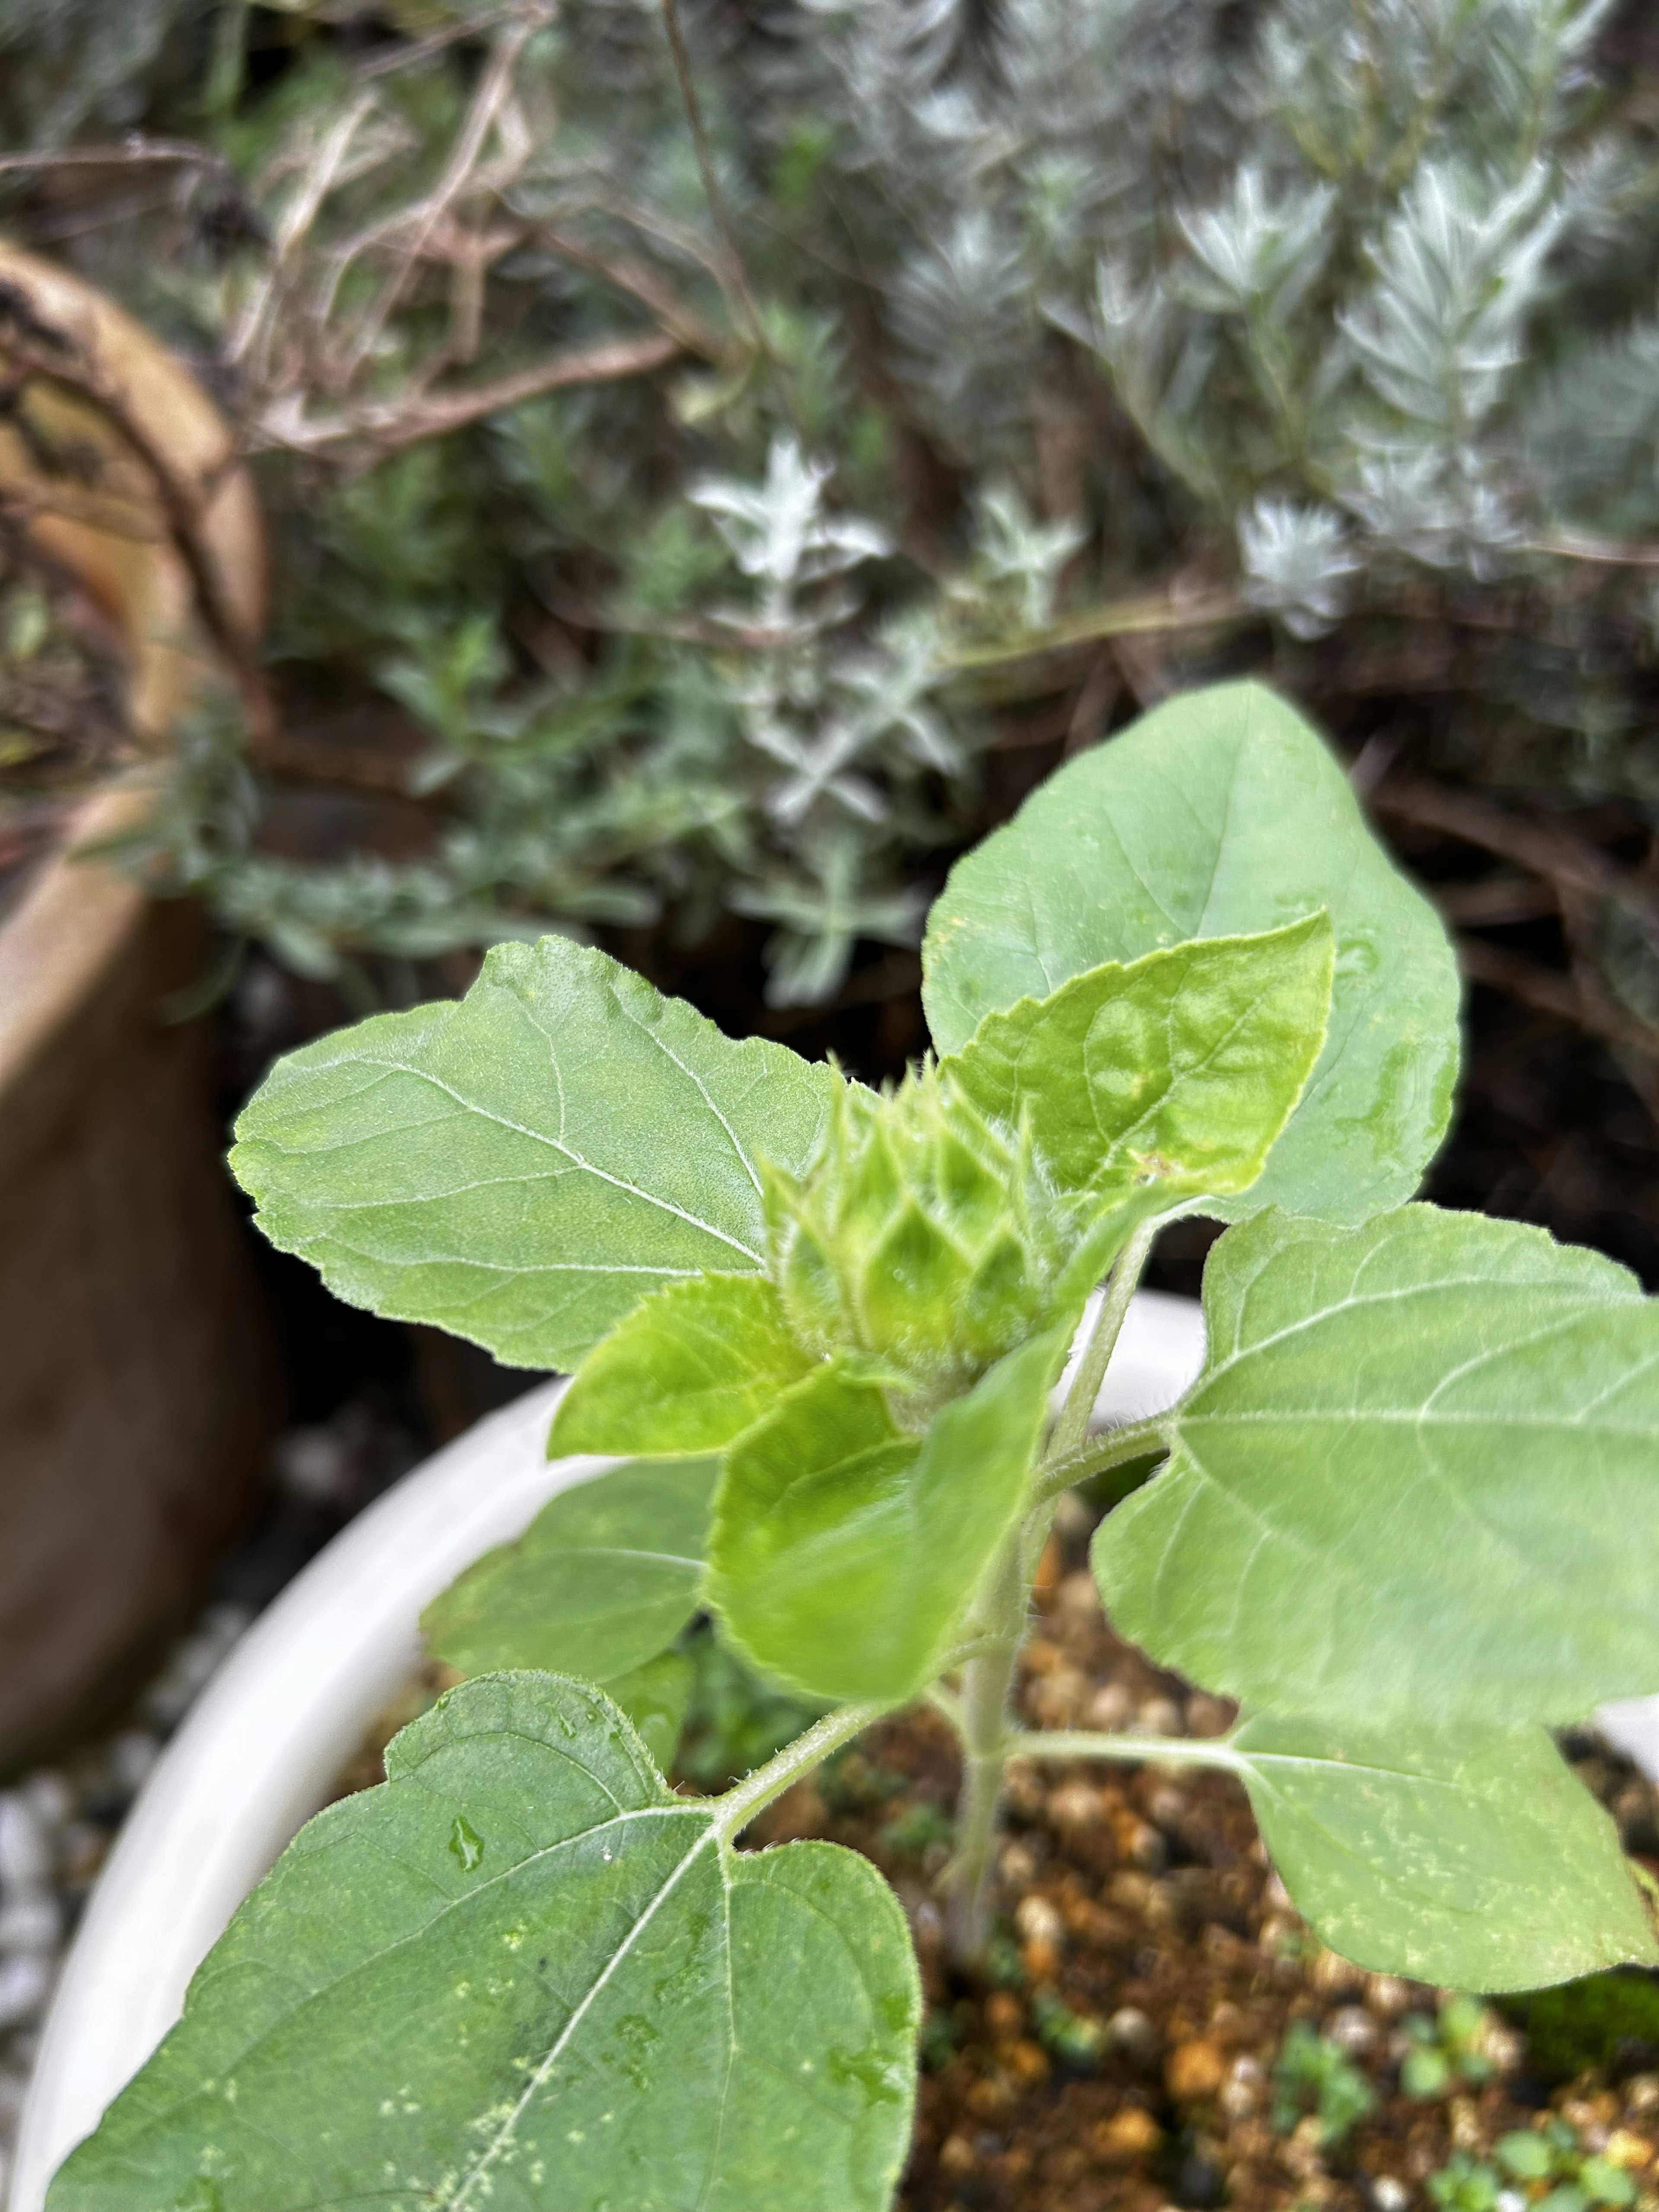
{"type": "Point", "coordinates": [293, 1704]}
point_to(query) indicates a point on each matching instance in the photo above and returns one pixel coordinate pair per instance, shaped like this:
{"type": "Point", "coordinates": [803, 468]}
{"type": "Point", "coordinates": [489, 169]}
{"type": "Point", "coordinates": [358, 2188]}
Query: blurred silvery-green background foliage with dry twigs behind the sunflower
{"type": "Point", "coordinates": [720, 457]}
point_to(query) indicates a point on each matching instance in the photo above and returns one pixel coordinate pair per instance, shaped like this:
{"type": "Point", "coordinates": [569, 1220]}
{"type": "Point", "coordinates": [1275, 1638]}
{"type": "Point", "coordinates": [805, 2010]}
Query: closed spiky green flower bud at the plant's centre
{"type": "Point", "coordinates": [921, 1235]}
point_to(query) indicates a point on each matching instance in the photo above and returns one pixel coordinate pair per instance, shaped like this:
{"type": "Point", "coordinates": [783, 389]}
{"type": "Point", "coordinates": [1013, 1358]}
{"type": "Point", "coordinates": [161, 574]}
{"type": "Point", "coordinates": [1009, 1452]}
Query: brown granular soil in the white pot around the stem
{"type": "Point", "coordinates": [1120, 2056]}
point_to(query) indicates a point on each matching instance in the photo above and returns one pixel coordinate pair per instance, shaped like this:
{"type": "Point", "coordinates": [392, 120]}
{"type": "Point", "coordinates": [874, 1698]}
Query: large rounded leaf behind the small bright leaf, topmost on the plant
{"type": "Point", "coordinates": [1222, 815]}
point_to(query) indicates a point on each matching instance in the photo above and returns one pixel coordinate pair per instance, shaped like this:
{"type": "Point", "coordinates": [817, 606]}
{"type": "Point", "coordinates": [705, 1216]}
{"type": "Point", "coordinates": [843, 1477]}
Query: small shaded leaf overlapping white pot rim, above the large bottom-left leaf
{"type": "Point", "coordinates": [603, 1580]}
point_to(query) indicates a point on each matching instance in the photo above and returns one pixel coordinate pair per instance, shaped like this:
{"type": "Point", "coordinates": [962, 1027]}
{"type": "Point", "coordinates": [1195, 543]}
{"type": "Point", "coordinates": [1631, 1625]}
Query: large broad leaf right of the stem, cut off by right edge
{"type": "Point", "coordinates": [1417, 1481]}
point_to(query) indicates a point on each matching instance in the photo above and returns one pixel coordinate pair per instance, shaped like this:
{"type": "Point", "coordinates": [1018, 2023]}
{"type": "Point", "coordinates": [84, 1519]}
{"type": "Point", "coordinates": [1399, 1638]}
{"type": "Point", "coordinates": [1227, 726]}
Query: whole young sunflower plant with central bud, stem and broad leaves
{"type": "Point", "coordinates": [820, 1342]}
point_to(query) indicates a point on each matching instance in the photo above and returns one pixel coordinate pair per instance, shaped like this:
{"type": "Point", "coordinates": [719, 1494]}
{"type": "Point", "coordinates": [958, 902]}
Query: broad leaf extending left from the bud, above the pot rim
{"type": "Point", "coordinates": [525, 1165]}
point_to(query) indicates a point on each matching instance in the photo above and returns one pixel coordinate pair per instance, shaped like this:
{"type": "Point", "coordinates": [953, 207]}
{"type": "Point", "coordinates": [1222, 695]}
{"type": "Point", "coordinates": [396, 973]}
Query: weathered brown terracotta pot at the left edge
{"type": "Point", "coordinates": [138, 1384]}
